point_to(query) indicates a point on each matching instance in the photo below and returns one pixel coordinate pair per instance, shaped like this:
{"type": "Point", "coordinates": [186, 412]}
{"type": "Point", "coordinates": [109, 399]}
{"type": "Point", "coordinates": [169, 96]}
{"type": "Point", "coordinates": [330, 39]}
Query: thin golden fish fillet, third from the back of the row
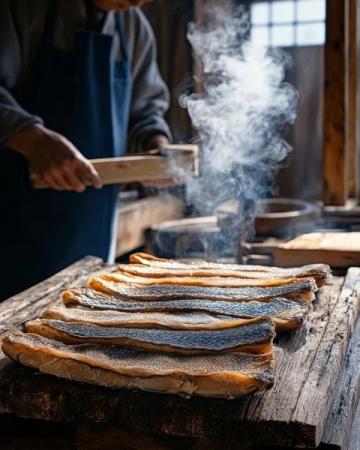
{"type": "Point", "coordinates": [199, 281]}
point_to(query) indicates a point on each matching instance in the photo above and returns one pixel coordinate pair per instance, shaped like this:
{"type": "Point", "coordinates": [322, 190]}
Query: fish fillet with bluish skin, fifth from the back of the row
{"type": "Point", "coordinates": [286, 314]}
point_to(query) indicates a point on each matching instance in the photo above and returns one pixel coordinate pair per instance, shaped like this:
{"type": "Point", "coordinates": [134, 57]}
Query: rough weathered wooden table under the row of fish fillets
{"type": "Point", "coordinates": [311, 381]}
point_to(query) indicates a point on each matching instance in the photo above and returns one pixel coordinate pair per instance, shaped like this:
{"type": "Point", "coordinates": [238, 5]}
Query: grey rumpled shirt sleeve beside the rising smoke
{"type": "Point", "coordinates": [150, 96]}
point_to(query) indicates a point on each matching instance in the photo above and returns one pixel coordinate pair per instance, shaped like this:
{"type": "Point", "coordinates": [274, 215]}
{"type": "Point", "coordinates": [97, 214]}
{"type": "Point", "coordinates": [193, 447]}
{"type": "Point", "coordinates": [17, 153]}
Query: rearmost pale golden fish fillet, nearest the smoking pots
{"type": "Point", "coordinates": [320, 272]}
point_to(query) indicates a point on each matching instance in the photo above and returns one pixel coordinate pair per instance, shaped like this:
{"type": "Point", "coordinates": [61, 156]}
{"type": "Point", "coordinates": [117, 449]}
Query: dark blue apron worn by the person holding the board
{"type": "Point", "coordinates": [84, 95]}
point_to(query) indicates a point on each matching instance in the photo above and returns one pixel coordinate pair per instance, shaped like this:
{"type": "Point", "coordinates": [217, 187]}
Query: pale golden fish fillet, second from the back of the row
{"type": "Point", "coordinates": [243, 272]}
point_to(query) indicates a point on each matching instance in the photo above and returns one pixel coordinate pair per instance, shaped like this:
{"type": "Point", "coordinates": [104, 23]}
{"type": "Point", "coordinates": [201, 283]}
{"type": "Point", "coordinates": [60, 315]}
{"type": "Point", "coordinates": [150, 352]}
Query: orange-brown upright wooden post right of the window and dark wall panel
{"type": "Point", "coordinates": [335, 190]}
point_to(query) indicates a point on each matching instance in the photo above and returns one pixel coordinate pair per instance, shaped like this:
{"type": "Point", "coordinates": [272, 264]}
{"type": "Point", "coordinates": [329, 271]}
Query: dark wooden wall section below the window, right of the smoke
{"type": "Point", "coordinates": [302, 175]}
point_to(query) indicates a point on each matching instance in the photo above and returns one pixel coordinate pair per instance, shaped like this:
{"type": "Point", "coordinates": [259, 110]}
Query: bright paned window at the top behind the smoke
{"type": "Point", "coordinates": [288, 23]}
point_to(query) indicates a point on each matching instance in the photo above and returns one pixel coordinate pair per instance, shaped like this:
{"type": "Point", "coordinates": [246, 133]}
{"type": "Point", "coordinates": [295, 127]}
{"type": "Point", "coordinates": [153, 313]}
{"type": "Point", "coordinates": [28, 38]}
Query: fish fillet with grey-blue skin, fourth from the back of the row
{"type": "Point", "coordinates": [302, 290]}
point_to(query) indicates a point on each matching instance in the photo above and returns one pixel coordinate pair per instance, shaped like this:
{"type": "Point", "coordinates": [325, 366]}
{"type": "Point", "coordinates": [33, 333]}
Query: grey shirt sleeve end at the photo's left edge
{"type": "Point", "coordinates": [12, 116]}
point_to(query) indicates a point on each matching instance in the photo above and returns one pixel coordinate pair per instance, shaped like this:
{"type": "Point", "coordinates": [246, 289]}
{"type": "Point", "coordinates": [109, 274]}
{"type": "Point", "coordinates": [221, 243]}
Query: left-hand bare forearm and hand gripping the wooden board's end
{"type": "Point", "coordinates": [53, 159]}
